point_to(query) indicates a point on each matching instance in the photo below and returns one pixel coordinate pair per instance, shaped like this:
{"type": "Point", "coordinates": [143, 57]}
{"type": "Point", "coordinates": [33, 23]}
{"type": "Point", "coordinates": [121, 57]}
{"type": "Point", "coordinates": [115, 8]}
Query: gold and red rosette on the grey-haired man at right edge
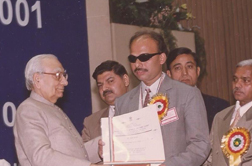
{"type": "Point", "coordinates": [235, 143]}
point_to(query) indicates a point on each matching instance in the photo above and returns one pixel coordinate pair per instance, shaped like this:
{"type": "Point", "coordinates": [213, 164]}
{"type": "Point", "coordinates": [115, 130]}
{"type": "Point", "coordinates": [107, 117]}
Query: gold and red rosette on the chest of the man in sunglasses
{"type": "Point", "coordinates": [162, 103]}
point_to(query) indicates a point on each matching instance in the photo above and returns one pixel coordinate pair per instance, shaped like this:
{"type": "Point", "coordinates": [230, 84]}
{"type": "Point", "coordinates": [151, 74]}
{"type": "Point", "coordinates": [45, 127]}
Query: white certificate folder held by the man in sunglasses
{"type": "Point", "coordinates": [133, 138]}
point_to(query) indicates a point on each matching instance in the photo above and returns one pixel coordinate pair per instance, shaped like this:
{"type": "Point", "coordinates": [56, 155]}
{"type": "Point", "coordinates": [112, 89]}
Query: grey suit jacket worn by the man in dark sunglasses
{"type": "Point", "coordinates": [186, 141]}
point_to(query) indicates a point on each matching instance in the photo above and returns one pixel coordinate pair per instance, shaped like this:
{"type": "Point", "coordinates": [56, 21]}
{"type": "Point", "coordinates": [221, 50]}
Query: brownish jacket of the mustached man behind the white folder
{"type": "Point", "coordinates": [92, 125]}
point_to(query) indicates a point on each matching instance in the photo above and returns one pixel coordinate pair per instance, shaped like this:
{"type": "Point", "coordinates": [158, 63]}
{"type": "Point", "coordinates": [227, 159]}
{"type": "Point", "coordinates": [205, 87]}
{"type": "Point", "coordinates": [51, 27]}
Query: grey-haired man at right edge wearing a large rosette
{"type": "Point", "coordinates": [232, 118]}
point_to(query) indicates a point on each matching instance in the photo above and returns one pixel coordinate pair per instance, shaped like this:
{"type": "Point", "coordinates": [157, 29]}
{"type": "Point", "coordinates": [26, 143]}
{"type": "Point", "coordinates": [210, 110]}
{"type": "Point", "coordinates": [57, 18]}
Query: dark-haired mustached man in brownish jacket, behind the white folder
{"type": "Point", "coordinates": [112, 81]}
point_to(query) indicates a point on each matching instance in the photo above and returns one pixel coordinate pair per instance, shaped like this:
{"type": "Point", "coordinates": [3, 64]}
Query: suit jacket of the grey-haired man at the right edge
{"type": "Point", "coordinates": [221, 125]}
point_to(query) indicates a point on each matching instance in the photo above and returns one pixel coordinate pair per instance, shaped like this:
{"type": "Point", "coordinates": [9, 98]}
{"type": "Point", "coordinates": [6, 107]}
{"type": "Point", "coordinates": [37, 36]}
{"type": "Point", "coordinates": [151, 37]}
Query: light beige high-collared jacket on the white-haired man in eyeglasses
{"type": "Point", "coordinates": [45, 136]}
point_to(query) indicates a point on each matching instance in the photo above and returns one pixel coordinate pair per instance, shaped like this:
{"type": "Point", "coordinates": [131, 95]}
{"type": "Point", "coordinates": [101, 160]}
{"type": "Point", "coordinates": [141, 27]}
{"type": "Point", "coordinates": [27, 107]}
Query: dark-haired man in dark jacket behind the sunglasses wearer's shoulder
{"type": "Point", "coordinates": [183, 65]}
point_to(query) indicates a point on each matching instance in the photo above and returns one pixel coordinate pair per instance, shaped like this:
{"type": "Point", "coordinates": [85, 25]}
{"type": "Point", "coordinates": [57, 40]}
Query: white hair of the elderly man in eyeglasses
{"type": "Point", "coordinates": [34, 65]}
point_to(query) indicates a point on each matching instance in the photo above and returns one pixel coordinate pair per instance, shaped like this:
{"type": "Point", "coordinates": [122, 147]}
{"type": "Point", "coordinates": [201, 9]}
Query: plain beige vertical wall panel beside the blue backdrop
{"type": "Point", "coordinates": [99, 42]}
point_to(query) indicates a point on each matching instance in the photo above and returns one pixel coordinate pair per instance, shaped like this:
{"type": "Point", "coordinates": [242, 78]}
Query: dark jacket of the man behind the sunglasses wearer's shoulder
{"type": "Point", "coordinates": [213, 106]}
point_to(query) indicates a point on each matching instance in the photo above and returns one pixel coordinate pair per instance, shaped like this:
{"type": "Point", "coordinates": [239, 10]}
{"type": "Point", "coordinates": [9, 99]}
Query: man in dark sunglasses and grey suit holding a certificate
{"type": "Point", "coordinates": [184, 126]}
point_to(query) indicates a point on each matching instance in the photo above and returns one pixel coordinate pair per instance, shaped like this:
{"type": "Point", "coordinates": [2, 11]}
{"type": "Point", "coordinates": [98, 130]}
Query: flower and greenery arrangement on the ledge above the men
{"type": "Point", "coordinates": [163, 14]}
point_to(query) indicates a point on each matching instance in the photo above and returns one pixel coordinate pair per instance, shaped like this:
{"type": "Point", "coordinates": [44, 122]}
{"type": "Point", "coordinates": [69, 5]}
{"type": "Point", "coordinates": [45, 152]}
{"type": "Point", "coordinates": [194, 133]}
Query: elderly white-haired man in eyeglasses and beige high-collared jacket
{"type": "Point", "coordinates": [44, 135]}
